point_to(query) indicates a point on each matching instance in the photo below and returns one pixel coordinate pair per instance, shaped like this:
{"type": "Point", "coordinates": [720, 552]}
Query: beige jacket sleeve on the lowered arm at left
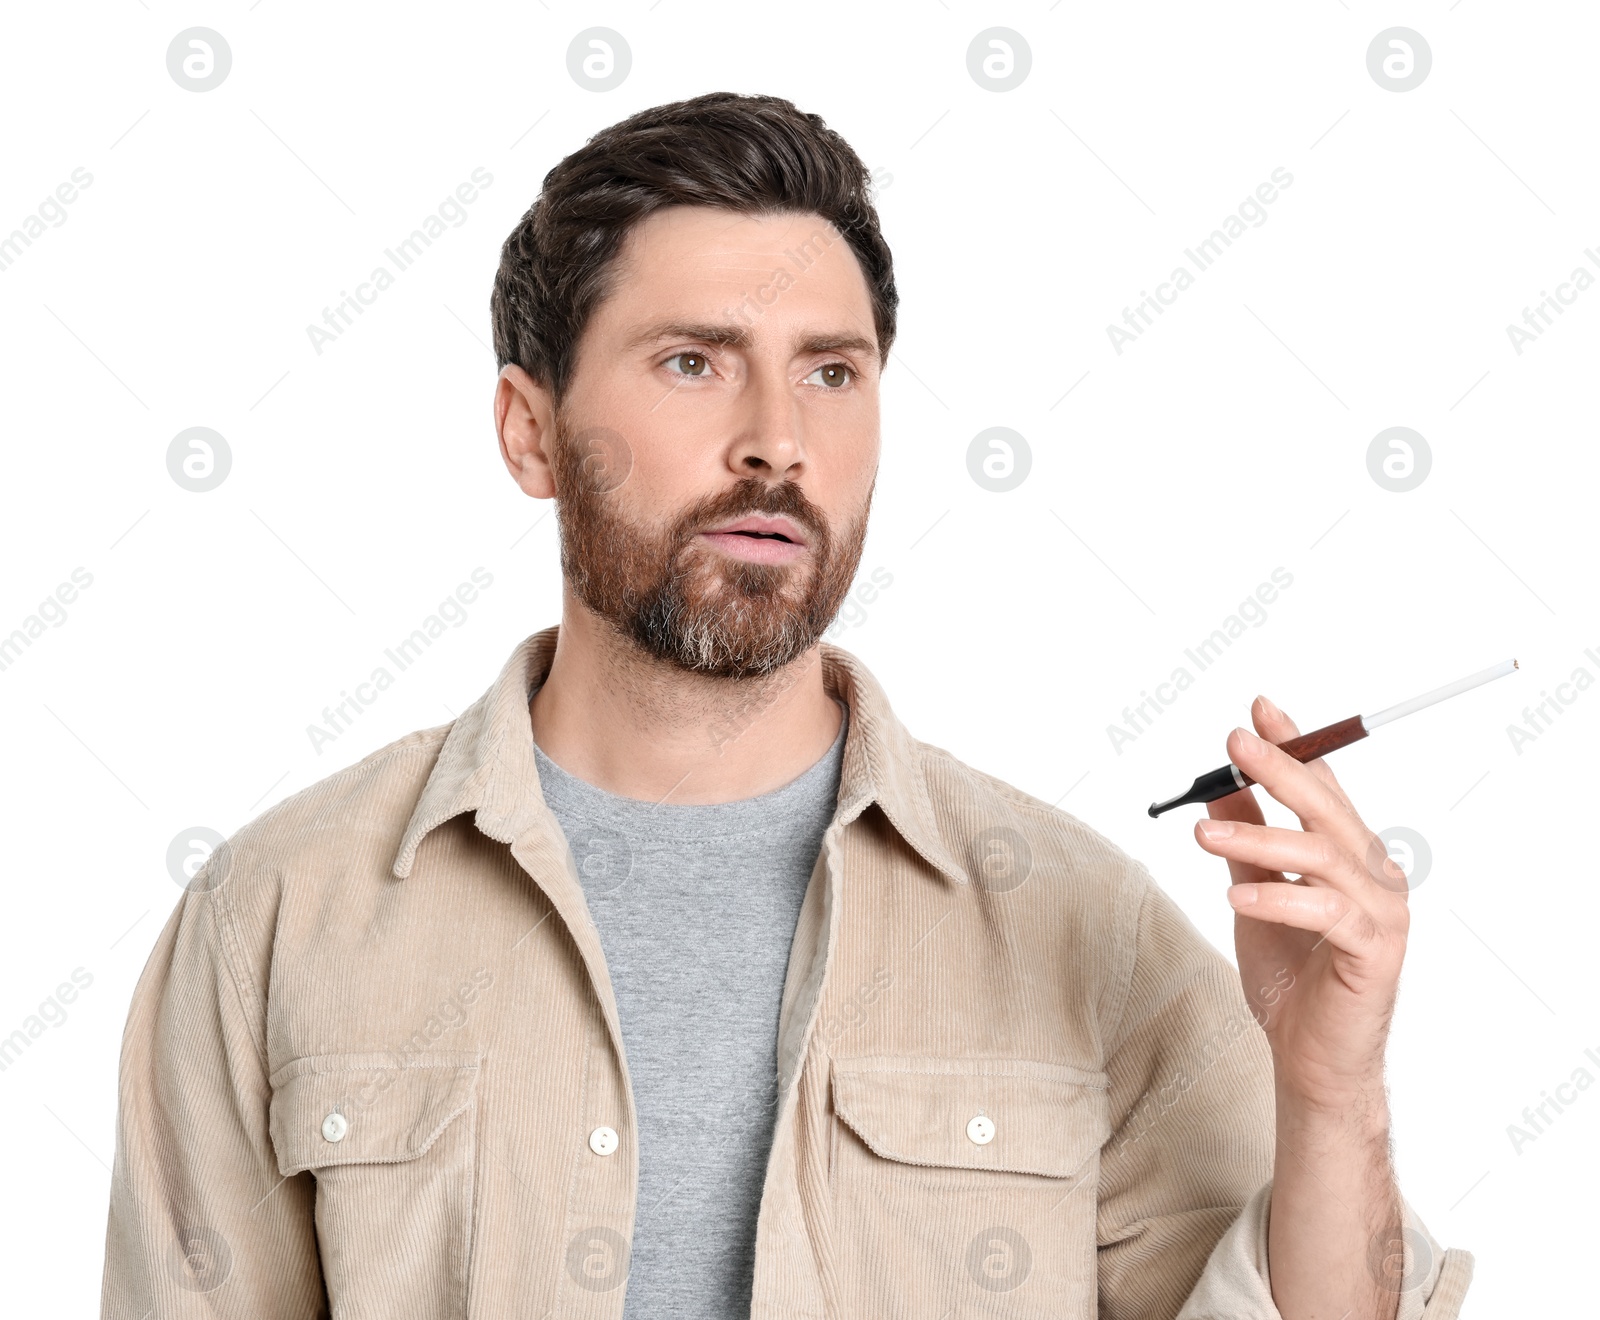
{"type": "Point", "coordinates": [201, 1222]}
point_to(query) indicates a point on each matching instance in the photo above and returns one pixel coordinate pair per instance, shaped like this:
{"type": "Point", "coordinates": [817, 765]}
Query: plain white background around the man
{"type": "Point", "coordinates": [1167, 481]}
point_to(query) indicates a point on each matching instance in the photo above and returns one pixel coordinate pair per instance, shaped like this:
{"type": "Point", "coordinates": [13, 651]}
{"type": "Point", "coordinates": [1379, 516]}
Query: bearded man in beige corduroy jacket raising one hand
{"type": "Point", "coordinates": [676, 978]}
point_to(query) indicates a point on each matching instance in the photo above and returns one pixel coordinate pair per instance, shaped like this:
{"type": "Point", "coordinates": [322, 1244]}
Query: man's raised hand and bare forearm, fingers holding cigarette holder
{"type": "Point", "coordinates": [1321, 962]}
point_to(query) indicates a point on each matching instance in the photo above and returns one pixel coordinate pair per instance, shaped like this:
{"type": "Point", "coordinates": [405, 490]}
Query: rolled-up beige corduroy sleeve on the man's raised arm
{"type": "Point", "coordinates": [1185, 1193]}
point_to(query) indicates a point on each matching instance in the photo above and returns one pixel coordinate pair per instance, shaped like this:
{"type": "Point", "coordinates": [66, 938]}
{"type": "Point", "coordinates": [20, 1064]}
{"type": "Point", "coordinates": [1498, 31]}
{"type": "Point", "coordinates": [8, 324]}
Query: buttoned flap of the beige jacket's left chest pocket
{"type": "Point", "coordinates": [366, 1110]}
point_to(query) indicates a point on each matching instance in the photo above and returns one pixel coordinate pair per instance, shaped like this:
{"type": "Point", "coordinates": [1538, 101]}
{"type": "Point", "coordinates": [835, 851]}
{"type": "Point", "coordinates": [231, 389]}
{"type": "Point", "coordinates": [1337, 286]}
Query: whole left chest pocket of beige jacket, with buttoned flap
{"type": "Point", "coordinates": [391, 1143]}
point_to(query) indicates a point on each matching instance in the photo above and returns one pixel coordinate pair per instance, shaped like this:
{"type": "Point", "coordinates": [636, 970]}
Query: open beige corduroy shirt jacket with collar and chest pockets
{"type": "Point", "coordinates": [367, 1062]}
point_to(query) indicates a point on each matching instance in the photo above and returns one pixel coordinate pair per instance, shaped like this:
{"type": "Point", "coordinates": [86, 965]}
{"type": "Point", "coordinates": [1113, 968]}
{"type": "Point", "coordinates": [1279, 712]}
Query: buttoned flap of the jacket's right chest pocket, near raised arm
{"type": "Point", "coordinates": [1047, 1119]}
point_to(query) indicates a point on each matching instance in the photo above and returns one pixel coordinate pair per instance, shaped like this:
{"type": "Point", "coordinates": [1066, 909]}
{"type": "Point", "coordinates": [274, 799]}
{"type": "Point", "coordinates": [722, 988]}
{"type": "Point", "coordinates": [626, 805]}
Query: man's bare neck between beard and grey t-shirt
{"type": "Point", "coordinates": [639, 727]}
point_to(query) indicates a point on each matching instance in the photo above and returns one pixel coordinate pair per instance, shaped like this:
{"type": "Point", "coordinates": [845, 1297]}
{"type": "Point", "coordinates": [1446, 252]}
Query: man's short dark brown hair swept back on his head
{"type": "Point", "coordinates": [751, 154]}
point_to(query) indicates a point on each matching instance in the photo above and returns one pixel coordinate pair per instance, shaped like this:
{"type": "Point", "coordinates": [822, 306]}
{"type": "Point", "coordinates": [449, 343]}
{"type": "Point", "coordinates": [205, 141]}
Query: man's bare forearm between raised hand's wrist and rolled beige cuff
{"type": "Point", "coordinates": [1335, 1214]}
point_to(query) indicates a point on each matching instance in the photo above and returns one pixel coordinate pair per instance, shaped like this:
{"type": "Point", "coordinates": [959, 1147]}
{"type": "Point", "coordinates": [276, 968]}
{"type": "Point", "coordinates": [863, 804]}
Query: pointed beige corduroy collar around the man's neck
{"type": "Point", "coordinates": [487, 766]}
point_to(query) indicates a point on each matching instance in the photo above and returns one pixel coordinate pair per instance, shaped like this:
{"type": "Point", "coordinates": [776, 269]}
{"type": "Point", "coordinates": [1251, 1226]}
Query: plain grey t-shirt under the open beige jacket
{"type": "Point", "coordinates": [697, 908]}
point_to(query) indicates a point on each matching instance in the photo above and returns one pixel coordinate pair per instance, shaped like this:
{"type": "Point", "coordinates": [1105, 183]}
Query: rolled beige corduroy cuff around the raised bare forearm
{"type": "Point", "coordinates": [1236, 1284]}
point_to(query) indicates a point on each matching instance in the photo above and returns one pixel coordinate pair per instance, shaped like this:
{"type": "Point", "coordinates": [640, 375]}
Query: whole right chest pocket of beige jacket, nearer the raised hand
{"type": "Point", "coordinates": [966, 1186]}
